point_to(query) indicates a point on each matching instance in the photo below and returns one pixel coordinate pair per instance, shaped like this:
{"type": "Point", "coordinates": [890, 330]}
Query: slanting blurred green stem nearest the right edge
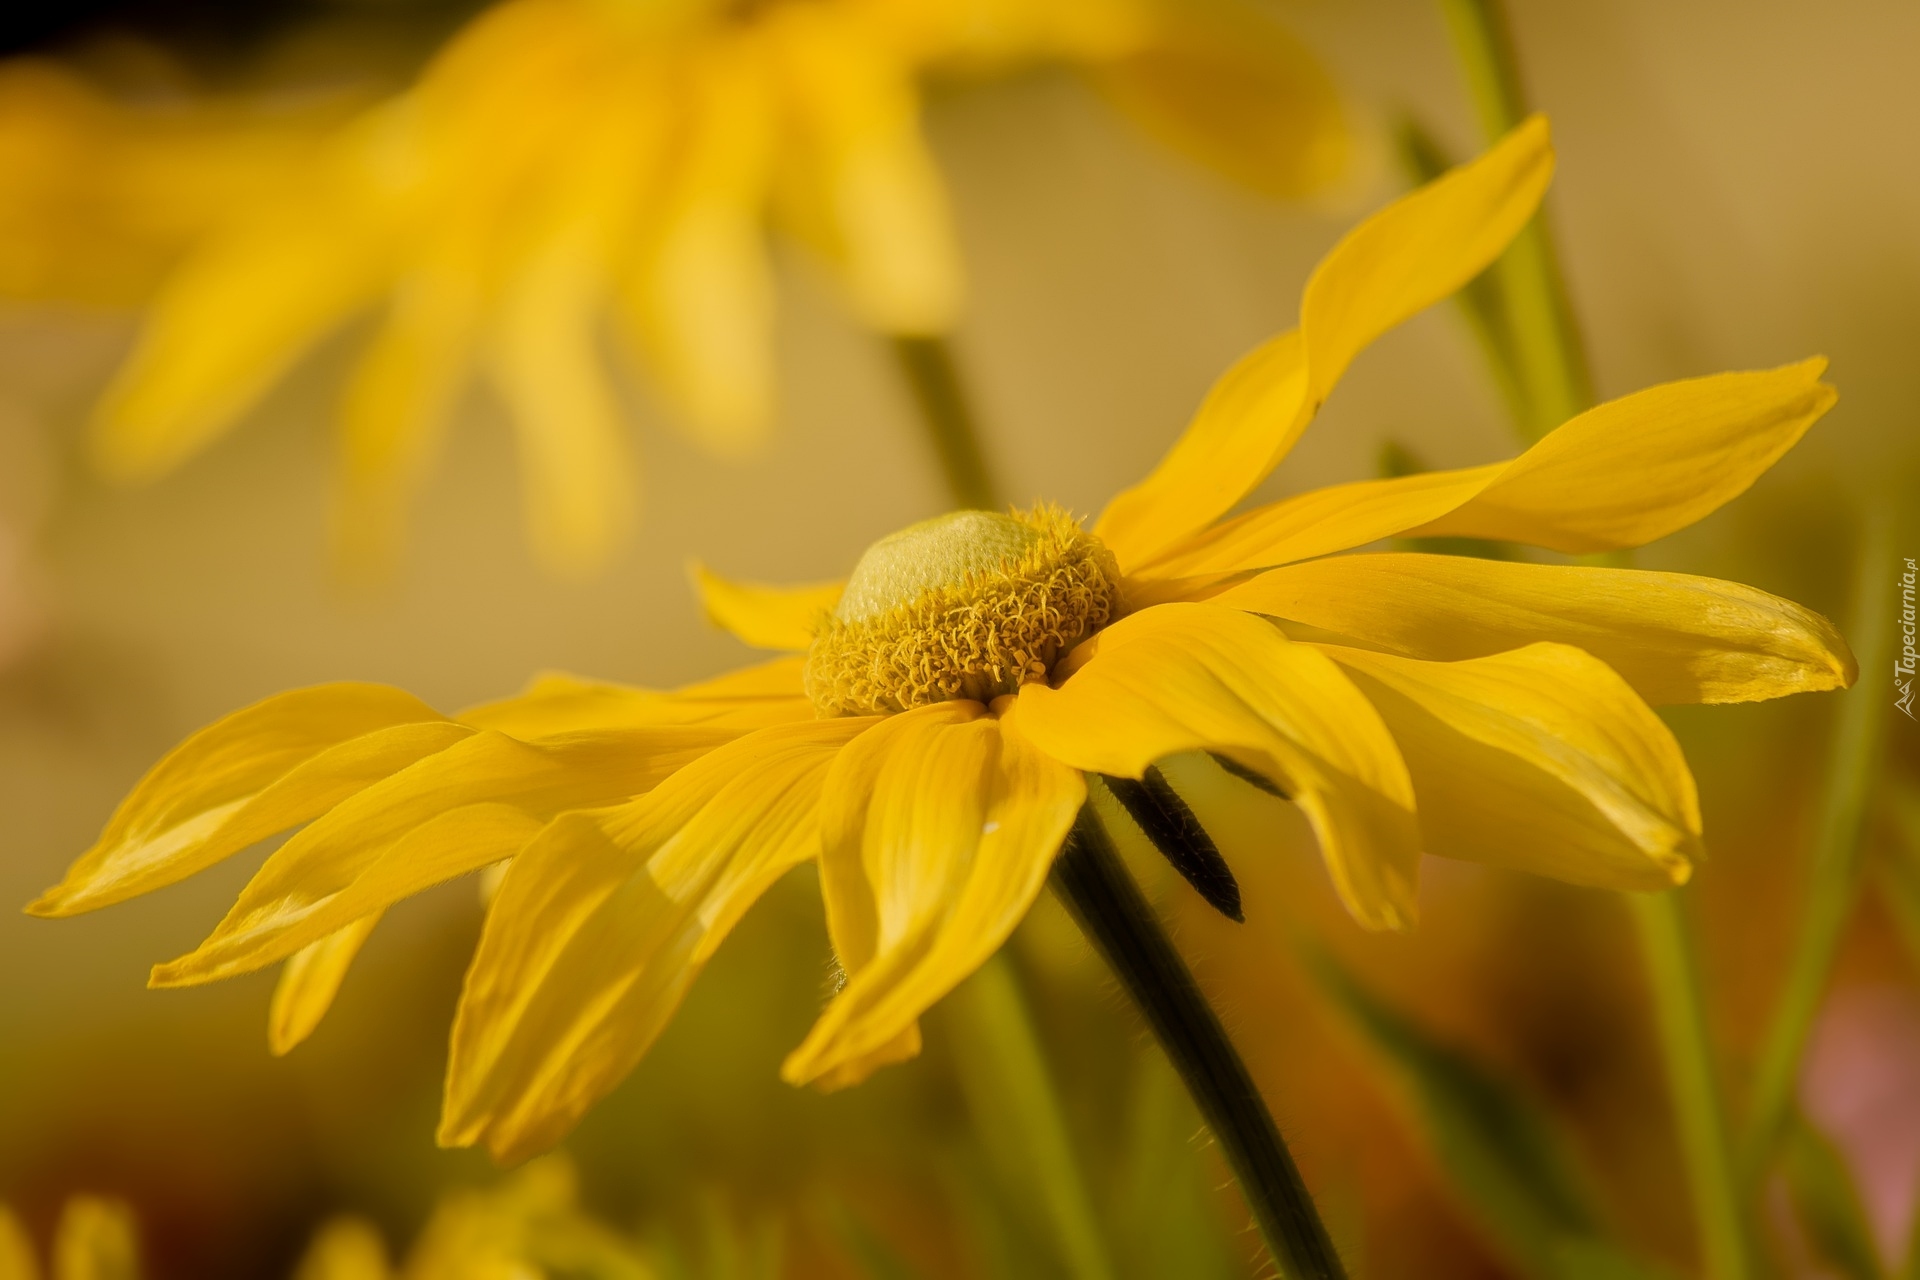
{"type": "Point", "coordinates": [1852, 765]}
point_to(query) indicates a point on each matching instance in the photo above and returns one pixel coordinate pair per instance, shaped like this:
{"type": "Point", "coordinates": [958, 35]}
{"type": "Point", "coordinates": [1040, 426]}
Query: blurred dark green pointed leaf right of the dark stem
{"type": "Point", "coordinates": [1500, 1152]}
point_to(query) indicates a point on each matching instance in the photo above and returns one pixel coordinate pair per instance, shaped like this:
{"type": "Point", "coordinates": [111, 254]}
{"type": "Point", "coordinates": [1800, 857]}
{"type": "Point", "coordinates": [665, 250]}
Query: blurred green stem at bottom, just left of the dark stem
{"type": "Point", "coordinates": [1009, 1089]}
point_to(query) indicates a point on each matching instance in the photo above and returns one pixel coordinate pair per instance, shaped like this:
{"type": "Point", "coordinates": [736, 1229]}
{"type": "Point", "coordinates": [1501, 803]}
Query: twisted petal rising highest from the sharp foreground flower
{"type": "Point", "coordinates": [1399, 262]}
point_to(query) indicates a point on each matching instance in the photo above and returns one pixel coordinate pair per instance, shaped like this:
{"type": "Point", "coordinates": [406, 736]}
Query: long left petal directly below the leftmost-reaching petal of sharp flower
{"type": "Point", "coordinates": [454, 813]}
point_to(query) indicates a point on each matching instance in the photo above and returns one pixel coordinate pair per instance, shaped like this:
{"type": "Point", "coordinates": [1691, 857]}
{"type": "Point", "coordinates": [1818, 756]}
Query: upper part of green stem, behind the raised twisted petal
{"type": "Point", "coordinates": [1531, 325]}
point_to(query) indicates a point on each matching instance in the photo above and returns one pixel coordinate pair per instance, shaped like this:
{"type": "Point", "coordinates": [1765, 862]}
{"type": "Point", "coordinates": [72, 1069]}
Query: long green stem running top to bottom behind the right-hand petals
{"type": "Point", "coordinates": [1533, 335]}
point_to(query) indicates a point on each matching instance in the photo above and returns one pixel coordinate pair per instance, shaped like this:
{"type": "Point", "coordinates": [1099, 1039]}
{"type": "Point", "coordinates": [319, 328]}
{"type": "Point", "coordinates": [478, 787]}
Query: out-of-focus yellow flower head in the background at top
{"type": "Point", "coordinates": [565, 160]}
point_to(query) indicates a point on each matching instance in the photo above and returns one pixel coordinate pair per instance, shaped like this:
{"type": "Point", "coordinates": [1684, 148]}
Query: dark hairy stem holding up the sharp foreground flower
{"type": "Point", "coordinates": [1118, 920]}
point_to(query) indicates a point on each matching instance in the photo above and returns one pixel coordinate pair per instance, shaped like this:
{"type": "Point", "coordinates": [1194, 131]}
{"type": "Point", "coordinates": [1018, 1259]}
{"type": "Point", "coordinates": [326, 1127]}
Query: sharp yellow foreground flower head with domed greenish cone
{"type": "Point", "coordinates": [930, 736]}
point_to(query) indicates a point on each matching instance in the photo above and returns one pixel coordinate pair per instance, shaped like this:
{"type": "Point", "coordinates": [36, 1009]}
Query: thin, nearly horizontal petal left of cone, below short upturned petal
{"type": "Point", "coordinates": [556, 703]}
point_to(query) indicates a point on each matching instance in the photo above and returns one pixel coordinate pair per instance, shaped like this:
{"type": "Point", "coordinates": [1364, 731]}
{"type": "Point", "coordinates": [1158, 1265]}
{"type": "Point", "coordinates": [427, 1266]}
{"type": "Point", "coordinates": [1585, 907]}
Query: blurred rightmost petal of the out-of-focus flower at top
{"type": "Point", "coordinates": [1241, 97]}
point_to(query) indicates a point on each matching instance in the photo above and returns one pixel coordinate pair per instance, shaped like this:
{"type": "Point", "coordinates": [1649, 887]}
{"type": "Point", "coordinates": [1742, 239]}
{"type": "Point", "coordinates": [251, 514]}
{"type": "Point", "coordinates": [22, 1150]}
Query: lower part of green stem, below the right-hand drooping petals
{"type": "Point", "coordinates": [1687, 1055]}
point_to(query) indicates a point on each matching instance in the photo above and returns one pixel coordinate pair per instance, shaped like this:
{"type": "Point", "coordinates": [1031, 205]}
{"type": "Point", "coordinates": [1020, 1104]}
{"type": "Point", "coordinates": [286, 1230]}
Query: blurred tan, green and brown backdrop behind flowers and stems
{"type": "Point", "coordinates": [1737, 191]}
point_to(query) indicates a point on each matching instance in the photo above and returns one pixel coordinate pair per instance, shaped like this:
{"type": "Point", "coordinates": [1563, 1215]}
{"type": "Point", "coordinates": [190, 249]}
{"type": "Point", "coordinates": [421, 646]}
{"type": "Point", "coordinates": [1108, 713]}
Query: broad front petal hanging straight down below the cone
{"type": "Point", "coordinates": [936, 838]}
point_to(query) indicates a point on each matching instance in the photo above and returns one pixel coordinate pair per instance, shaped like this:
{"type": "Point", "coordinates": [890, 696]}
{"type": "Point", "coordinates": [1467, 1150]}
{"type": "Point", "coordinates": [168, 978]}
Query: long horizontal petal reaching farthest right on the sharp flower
{"type": "Point", "coordinates": [1673, 638]}
